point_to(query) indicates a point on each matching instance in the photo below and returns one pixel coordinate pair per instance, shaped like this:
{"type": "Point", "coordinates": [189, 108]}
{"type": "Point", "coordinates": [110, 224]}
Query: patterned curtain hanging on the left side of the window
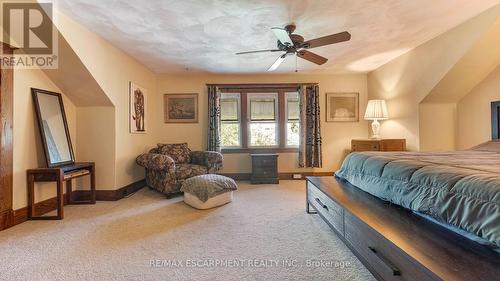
{"type": "Point", "coordinates": [213, 119]}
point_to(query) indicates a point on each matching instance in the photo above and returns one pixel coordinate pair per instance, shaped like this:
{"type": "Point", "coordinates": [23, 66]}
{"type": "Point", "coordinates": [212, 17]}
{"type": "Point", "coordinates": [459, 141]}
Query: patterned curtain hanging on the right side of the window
{"type": "Point", "coordinates": [310, 155]}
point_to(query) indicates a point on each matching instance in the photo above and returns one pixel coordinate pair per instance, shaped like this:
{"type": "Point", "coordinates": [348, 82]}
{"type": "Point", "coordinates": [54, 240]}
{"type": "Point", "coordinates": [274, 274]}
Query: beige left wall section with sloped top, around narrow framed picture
{"type": "Point", "coordinates": [113, 69]}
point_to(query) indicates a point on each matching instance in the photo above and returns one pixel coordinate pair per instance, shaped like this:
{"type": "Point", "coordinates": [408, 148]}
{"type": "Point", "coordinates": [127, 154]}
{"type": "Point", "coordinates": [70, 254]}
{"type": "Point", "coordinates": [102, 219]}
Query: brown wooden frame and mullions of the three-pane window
{"type": "Point", "coordinates": [281, 117]}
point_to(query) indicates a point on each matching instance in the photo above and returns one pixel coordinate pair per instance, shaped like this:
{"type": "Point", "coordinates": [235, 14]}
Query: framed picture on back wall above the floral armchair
{"type": "Point", "coordinates": [180, 108]}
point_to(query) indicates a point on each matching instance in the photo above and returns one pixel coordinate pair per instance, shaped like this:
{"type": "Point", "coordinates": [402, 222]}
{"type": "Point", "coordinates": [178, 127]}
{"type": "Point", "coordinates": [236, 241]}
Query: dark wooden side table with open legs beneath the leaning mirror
{"type": "Point", "coordinates": [60, 175]}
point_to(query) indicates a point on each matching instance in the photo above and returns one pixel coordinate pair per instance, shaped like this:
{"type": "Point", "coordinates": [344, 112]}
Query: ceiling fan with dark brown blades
{"type": "Point", "coordinates": [294, 44]}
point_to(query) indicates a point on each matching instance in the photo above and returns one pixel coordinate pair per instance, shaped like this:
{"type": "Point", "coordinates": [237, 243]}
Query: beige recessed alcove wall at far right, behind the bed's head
{"type": "Point", "coordinates": [474, 112]}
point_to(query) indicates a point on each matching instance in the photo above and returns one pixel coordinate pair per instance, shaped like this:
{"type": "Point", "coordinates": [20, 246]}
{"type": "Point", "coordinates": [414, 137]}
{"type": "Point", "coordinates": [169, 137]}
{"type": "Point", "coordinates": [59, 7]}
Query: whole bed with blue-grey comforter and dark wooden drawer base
{"type": "Point", "coordinates": [395, 210]}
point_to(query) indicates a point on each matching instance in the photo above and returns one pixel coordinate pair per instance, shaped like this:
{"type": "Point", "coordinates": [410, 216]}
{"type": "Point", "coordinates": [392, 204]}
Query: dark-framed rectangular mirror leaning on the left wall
{"type": "Point", "coordinates": [53, 127]}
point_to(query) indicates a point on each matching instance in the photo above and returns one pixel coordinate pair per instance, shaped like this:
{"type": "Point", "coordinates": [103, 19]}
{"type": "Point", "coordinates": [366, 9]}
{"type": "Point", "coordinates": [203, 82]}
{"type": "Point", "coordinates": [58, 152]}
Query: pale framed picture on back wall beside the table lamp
{"type": "Point", "coordinates": [342, 107]}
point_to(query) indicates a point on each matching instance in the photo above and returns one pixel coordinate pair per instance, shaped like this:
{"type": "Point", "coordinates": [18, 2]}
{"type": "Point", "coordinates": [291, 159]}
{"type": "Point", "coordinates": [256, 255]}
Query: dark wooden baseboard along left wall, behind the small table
{"type": "Point", "coordinates": [12, 218]}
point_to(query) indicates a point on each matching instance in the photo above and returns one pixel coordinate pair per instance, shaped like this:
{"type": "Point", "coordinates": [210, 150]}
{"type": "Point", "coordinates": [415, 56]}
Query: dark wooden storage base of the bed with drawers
{"type": "Point", "coordinates": [394, 243]}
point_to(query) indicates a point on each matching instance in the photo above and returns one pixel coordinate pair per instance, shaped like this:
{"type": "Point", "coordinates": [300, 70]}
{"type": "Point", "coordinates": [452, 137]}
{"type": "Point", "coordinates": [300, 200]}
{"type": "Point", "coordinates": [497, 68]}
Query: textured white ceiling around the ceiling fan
{"type": "Point", "coordinates": [203, 35]}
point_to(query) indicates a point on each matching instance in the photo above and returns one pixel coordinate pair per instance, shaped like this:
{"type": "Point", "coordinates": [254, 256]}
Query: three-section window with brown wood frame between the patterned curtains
{"type": "Point", "coordinates": [259, 119]}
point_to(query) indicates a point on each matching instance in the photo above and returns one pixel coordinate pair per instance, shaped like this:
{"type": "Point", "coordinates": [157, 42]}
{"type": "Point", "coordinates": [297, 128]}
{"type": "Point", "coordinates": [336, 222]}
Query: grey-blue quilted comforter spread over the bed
{"type": "Point", "coordinates": [460, 189]}
